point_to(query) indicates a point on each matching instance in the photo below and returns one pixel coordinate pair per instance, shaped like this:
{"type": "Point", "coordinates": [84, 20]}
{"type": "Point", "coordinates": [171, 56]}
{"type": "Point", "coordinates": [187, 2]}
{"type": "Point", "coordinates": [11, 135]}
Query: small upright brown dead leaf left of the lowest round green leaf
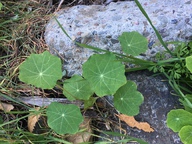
{"type": "Point", "coordinates": [33, 119]}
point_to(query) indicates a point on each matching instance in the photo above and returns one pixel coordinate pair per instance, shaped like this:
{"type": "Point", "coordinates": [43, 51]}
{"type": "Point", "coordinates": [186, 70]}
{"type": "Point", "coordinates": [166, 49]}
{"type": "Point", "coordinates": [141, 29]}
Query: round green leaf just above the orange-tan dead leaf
{"type": "Point", "coordinates": [127, 99]}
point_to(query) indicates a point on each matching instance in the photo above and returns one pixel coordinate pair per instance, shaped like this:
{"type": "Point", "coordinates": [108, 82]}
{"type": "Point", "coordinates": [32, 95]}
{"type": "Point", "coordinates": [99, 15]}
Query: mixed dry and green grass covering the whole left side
{"type": "Point", "coordinates": [22, 25]}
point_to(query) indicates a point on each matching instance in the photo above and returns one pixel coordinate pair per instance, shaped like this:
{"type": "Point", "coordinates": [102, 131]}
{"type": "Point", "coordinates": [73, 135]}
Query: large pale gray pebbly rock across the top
{"type": "Point", "coordinates": [100, 26]}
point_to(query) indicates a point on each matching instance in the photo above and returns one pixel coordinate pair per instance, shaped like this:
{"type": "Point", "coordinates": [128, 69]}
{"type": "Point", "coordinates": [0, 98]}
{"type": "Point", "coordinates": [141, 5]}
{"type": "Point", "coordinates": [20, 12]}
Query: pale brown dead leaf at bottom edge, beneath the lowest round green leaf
{"type": "Point", "coordinates": [84, 136]}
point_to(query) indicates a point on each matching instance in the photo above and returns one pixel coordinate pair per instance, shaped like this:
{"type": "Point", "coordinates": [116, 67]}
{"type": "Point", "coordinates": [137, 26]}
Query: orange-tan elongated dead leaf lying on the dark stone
{"type": "Point", "coordinates": [130, 120]}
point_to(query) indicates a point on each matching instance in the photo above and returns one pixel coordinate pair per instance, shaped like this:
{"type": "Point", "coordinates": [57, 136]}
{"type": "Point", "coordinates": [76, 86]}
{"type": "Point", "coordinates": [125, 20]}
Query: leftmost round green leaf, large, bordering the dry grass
{"type": "Point", "coordinates": [41, 70]}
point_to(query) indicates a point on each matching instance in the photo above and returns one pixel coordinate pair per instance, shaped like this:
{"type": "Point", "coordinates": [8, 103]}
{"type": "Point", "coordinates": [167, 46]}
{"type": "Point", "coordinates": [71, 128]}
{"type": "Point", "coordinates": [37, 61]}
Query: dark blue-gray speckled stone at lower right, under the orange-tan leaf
{"type": "Point", "coordinates": [158, 101]}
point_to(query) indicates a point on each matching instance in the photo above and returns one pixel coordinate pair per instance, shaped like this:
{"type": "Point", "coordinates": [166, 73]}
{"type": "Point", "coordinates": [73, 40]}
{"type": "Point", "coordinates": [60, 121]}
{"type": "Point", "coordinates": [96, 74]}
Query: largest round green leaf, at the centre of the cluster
{"type": "Point", "coordinates": [104, 73]}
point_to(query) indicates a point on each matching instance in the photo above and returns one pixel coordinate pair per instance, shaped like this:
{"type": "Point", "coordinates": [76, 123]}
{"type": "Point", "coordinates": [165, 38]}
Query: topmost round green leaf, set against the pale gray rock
{"type": "Point", "coordinates": [133, 43]}
